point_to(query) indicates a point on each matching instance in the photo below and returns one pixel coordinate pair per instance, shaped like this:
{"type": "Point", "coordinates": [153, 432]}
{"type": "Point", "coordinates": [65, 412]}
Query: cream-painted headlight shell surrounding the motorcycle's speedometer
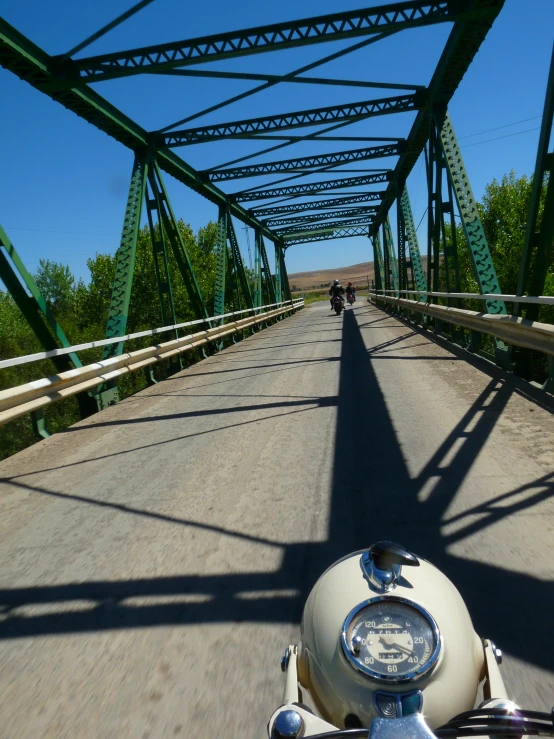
{"type": "Point", "coordinates": [338, 689]}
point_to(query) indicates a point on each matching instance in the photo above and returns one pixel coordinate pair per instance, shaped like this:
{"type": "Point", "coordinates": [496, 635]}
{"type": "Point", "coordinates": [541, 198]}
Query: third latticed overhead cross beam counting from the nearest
{"type": "Point", "coordinates": [299, 165]}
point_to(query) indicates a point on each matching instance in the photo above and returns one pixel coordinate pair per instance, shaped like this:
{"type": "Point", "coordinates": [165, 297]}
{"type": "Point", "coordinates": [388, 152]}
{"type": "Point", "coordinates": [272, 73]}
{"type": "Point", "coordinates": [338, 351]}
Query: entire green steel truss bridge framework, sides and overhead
{"type": "Point", "coordinates": [302, 199]}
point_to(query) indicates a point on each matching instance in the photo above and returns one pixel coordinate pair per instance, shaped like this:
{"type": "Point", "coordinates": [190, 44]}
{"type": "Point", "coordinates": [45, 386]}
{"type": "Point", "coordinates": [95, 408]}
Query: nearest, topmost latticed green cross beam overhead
{"type": "Point", "coordinates": [335, 26]}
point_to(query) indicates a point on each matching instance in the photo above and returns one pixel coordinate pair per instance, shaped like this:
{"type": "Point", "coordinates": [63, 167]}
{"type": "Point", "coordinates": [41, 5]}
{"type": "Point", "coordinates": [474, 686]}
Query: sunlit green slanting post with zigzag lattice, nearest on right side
{"type": "Point", "coordinates": [471, 221]}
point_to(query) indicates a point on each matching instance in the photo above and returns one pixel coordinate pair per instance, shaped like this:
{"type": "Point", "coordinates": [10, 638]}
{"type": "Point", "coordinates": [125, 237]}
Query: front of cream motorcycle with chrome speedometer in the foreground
{"type": "Point", "coordinates": [387, 650]}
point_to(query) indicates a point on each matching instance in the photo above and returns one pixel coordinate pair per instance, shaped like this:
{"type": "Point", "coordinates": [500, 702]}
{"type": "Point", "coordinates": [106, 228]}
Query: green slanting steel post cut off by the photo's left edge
{"type": "Point", "coordinates": [38, 315]}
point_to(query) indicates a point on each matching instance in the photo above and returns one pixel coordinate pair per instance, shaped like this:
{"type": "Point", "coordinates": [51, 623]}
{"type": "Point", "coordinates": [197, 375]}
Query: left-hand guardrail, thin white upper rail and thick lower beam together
{"type": "Point", "coordinates": [33, 396]}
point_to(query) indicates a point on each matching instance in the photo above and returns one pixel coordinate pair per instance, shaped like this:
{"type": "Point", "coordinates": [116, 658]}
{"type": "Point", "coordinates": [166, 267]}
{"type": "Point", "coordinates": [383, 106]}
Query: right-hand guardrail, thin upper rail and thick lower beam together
{"type": "Point", "coordinates": [511, 329]}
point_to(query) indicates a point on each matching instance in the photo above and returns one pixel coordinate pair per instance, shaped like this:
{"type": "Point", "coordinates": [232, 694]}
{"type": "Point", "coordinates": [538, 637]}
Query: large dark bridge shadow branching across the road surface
{"type": "Point", "coordinates": [373, 497]}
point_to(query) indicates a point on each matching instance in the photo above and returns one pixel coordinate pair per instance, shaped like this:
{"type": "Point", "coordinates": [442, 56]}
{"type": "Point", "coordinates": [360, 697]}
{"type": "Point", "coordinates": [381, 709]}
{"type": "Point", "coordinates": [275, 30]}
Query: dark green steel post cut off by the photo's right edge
{"type": "Point", "coordinates": [539, 238]}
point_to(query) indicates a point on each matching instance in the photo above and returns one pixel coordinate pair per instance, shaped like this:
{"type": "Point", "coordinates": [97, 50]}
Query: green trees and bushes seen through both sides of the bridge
{"type": "Point", "coordinates": [82, 308]}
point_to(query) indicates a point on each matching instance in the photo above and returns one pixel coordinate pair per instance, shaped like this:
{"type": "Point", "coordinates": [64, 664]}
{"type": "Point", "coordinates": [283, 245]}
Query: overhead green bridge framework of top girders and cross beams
{"type": "Point", "coordinates": [67, 79]}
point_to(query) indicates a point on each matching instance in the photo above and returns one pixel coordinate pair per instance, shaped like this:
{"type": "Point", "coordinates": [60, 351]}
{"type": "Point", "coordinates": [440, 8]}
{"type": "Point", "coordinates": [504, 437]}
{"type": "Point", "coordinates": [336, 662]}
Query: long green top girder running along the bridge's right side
{"type": "Point", "coordinates": [463, 43]}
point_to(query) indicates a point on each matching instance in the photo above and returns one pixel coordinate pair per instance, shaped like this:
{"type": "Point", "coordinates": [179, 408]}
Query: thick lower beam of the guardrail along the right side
{"type": "Point", "coordinates": [511, 329]}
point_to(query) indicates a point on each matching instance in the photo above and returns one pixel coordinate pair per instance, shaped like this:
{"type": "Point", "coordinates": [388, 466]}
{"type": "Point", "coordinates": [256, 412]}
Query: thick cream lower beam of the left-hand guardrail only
{"type": "Point", "coordinates": [34, 396]}
